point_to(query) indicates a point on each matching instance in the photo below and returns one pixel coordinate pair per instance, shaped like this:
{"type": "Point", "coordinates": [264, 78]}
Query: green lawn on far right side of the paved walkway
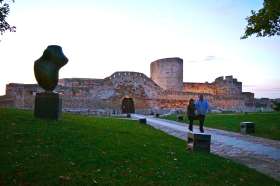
{"type": "Point", "coordinates": [267, 125]}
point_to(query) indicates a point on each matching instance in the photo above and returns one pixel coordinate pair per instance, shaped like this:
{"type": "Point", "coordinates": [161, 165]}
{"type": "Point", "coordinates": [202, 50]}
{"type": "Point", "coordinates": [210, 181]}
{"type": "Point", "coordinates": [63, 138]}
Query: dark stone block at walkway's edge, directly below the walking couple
{"type": "Point", "coordinates": [198, 142]}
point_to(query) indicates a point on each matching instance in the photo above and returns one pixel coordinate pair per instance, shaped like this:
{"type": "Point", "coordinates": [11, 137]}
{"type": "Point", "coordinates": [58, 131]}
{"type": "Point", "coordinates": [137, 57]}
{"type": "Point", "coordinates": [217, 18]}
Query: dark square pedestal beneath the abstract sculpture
{"type": "Point", "coordinates": [48, 105]}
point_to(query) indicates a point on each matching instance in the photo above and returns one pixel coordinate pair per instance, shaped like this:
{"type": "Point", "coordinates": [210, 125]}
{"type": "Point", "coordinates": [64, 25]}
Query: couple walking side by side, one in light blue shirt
{"type": "Point", "coordinates": [200, 107]}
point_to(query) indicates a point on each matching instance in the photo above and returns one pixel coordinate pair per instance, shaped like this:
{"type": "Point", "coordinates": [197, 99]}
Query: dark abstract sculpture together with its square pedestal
{"type": "Point", "coordinates": [48, 105]}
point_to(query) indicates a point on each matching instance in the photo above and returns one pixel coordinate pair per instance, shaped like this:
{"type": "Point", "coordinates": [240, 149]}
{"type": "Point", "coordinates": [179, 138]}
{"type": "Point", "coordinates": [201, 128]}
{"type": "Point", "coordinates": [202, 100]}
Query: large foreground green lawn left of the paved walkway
{"type": "Point", "coordinates": [81, 150]}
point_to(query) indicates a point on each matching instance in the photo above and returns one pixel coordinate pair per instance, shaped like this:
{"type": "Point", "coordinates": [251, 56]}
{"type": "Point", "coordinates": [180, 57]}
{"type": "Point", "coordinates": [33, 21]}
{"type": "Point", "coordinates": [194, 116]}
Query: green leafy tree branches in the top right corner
{"type": "Point", "coordinates": [265, 22]}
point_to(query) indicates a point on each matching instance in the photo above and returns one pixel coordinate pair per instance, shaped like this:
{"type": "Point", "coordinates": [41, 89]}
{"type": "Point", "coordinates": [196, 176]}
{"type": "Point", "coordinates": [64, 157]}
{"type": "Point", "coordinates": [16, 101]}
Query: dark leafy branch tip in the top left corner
{"type": "Point", "coordinates": [4, 11]}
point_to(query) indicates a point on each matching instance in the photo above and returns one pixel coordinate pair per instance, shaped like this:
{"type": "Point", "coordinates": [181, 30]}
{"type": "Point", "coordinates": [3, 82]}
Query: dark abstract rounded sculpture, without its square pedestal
{"type": "Point", "coordinates": [46, 68]}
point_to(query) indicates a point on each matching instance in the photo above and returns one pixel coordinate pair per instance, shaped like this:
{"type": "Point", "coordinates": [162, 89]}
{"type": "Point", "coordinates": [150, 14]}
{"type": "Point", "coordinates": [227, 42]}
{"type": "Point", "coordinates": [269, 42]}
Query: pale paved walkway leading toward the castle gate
{"type": "Point", "coordinates": [258, 153]}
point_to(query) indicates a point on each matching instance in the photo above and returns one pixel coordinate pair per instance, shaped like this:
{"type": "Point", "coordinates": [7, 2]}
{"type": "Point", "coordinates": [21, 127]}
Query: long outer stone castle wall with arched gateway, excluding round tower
{"type": "Point", "coordinates": [109, 93]}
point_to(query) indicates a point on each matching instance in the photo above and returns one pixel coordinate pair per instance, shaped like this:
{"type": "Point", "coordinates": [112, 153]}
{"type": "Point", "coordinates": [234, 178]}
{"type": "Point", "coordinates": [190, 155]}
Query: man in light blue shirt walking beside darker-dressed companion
{"type": "Point", "coordinates": [201, 107]}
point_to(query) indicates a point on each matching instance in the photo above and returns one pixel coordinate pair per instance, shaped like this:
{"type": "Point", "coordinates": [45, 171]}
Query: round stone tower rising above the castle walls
{"type": "Point", "coordinates": [168, 73]}
